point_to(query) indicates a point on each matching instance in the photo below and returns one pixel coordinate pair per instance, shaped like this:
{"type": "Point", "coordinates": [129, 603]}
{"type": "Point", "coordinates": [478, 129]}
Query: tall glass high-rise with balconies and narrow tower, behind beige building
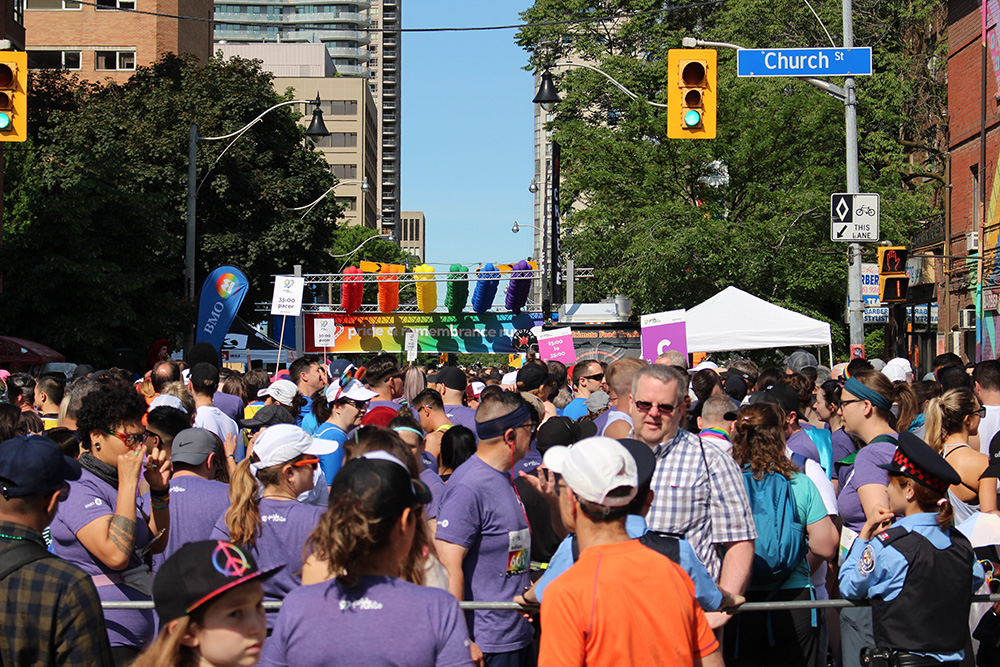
{"type": "Point", "coordinates": [363, 41]}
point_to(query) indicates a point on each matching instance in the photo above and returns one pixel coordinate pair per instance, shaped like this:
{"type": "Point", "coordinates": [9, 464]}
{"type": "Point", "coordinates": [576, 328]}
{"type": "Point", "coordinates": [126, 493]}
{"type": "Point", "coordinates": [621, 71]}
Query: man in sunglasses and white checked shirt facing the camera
{"type": "Point", "coordinates": [698, 488]}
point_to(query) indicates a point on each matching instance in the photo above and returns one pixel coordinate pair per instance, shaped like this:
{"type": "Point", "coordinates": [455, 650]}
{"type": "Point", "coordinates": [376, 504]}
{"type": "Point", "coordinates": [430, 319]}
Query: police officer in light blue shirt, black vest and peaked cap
{"type": "Point", "coordinates": [921, 572]}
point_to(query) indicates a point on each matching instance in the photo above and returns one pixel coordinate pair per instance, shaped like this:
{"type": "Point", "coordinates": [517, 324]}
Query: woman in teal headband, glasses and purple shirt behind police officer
{"type": "Point", "coordinates": [866, 403]}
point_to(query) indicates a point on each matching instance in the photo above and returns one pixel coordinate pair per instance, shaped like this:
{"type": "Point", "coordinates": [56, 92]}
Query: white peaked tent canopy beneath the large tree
{"type": "Point", "coordinates": [735, 320]}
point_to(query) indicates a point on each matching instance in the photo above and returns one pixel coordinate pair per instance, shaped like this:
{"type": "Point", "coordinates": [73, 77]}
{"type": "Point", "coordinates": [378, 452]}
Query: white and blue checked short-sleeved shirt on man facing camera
{"type": "Point", "coordinates": [699, 494]}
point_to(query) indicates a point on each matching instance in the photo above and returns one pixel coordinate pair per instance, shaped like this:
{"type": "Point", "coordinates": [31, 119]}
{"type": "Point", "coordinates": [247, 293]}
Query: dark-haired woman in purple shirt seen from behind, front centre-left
{"type": "Point", "coordinates": [366, 534]}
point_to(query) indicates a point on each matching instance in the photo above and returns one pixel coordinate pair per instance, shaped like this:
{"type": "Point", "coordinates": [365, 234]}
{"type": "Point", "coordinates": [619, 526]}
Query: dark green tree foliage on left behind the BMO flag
{"type": "Point", "coordinates": [95, 202]}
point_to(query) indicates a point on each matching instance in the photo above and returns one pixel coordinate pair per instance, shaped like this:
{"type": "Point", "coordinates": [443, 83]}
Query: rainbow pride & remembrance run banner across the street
{"type": "Point", "coordinates": [489, 333]}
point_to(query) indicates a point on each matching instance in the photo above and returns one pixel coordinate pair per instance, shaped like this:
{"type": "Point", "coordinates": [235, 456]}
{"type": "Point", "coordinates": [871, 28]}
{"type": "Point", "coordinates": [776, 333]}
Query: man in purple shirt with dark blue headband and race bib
{"type": "Point", "coordinates": [483, 539]}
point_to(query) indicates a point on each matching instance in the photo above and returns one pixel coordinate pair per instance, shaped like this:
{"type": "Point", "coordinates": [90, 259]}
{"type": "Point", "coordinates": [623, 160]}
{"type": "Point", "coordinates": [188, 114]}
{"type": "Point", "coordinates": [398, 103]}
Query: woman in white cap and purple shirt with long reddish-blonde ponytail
{"type": "Point", "coordinates": [265, 517]}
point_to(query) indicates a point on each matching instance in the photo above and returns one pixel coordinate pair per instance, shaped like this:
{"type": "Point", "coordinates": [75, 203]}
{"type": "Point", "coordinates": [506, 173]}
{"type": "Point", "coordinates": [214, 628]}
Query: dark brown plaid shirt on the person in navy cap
{"type": "Point", "coordinates": [49, 611]}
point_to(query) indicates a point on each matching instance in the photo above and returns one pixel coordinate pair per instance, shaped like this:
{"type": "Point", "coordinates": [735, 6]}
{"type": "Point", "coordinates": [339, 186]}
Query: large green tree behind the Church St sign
{"type": "Point", "coordinates": [672, 222]}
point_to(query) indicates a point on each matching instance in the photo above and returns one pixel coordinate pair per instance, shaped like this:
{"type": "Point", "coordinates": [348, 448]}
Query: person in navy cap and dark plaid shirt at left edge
{"type": "Point", "coordinates": [54, 613]}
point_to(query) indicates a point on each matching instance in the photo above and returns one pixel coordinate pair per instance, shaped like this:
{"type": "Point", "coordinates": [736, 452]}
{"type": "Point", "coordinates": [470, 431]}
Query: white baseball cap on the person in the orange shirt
{"type": "Point", "coordinates": [594, 467]}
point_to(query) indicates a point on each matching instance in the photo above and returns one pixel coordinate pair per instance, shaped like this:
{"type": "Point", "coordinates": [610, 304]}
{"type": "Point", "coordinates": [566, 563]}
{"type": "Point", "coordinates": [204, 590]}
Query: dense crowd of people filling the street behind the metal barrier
{"type": "Point", "coordinates": [631, 509]}
